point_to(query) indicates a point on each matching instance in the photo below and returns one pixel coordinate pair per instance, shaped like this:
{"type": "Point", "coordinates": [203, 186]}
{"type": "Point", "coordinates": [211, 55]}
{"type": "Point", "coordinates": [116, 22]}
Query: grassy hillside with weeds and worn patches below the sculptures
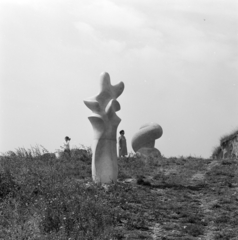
{"type": "Point", "coordinates": [177, 198]}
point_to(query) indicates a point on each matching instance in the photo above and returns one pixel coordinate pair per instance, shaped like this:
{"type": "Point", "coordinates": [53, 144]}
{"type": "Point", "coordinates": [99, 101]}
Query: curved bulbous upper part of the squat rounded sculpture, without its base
{"type": "Point", "coordinates": [146, 136]}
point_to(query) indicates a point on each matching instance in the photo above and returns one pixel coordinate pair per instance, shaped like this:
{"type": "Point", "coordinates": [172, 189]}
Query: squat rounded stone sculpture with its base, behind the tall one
{"type": "Point", "coordinates": [144, 140]}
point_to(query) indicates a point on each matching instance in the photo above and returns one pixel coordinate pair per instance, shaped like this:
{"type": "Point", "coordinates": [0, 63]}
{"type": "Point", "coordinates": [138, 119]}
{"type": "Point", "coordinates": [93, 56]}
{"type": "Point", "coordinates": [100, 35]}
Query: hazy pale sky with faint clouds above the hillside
{"type": "Point", "coordinates": [177, 58]}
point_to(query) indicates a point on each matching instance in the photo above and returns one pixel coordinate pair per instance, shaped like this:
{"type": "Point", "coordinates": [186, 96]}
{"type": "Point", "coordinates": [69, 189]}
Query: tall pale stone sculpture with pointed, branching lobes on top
{"type": "Point", "coordinates": [105, 122]}
